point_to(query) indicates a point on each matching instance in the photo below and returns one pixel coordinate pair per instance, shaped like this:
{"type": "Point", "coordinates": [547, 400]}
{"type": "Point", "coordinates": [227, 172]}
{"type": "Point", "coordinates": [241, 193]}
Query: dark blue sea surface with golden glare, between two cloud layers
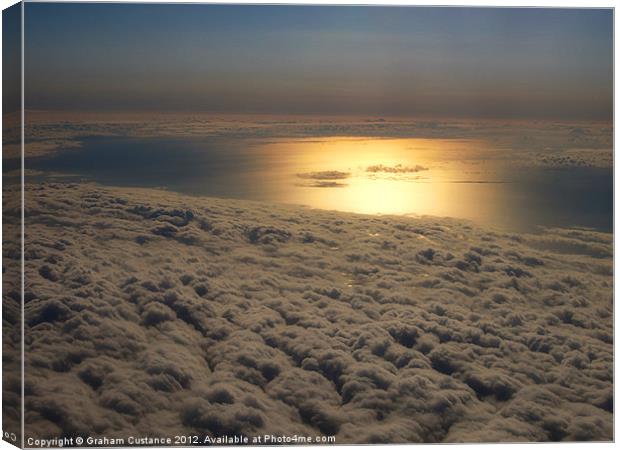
{"type": "Point", "coordinates": [441, 177]}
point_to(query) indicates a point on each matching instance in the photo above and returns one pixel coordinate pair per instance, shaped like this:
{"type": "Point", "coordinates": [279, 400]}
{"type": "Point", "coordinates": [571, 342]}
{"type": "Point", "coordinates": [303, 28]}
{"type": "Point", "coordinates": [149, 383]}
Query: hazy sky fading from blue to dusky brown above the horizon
{"type": "Point", "coordinates": [408, 61]}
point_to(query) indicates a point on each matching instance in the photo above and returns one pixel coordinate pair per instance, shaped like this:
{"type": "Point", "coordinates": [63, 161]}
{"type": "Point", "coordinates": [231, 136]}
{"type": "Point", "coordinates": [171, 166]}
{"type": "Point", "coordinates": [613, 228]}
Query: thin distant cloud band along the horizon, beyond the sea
{"type": "Point", "coordinates": [531, 144]}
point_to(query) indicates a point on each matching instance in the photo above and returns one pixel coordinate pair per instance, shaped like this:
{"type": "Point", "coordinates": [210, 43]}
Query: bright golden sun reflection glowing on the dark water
{"type": "Point", "coordinates": [390, 176]}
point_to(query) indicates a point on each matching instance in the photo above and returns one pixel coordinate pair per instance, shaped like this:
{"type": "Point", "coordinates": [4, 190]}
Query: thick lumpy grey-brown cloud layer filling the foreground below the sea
{"type": "Point", "coordinates": [148, 311]}
